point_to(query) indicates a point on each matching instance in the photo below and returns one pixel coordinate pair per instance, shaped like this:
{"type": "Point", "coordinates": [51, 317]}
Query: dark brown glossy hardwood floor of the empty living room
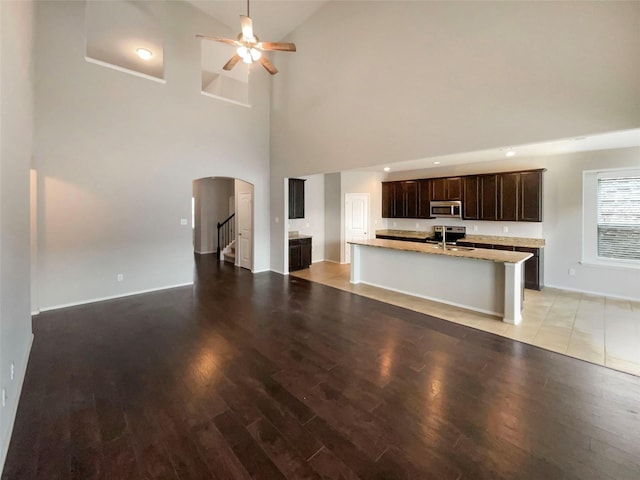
{"type": "Point", "coordinates": [270, 377]}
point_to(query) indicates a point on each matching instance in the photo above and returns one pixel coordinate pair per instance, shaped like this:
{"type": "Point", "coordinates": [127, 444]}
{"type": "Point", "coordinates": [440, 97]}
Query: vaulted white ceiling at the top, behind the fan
{"type": "Point", "coordinates": [272, 19]}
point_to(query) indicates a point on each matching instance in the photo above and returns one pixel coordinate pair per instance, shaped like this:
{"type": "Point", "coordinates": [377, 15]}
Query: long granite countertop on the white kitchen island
{"type": "Point", "coordinates": [502, 256]}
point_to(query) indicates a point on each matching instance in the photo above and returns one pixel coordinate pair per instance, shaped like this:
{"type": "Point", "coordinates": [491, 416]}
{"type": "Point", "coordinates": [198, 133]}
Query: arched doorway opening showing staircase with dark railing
{"type": "Point", "coordinates": [223, 219]}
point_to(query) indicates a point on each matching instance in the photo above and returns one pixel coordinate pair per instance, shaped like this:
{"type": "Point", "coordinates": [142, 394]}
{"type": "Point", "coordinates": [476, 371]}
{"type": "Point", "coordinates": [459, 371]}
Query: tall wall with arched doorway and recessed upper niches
{"type": "Point", "coordinates": [116, 155]}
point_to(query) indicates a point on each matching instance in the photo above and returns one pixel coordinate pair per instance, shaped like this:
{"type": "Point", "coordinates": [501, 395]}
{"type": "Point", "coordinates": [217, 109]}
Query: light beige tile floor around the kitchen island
{"type": "Point", "coordinates": [597, 329]}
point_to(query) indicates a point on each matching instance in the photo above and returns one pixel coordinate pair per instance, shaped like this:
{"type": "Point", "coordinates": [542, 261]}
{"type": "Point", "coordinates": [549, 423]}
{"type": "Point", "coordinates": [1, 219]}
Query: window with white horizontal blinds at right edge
{"type": "Point", "coordinates": [619, 218]}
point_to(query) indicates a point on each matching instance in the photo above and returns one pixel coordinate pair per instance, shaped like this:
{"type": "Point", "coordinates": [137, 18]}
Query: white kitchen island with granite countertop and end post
{"type": "Point", "coordinates": [483, 280]}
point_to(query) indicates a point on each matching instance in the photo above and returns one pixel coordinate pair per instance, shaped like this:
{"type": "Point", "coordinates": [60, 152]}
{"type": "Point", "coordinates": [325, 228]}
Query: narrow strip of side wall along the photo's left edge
{"type": "Point", "coordinates": [16, 97]}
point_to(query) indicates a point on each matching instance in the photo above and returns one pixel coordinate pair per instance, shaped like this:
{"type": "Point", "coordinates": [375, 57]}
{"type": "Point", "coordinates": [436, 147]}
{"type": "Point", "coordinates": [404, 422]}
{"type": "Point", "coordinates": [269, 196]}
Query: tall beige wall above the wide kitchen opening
{"type": "Point", "coordinates": [477, 75]}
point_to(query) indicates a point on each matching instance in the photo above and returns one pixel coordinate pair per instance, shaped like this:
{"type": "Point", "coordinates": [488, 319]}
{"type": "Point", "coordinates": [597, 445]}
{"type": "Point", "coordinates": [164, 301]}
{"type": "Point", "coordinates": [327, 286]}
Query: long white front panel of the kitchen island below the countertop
{"type": "Point", "coordinates": [474, 284]}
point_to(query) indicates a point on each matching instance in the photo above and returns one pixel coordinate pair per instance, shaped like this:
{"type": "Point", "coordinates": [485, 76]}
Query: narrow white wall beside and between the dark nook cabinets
{"type": "Point", "coordinates": [314, 216]}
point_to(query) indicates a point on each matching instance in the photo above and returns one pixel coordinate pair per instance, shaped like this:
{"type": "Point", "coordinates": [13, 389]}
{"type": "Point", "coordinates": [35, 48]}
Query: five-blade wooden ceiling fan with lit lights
{"type": "Point", "coordinates": [249, 48]}
